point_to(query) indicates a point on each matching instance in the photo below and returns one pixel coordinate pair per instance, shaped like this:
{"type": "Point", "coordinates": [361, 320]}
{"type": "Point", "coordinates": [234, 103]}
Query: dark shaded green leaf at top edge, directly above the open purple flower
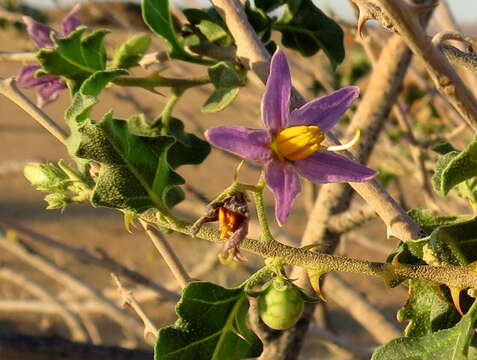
{"type": "Point", "coordinates": [307, 29]}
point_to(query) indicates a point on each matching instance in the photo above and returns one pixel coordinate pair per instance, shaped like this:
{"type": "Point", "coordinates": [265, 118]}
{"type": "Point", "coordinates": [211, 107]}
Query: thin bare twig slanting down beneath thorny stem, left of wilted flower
{"type": "Point", "coordinates": [167, 253]}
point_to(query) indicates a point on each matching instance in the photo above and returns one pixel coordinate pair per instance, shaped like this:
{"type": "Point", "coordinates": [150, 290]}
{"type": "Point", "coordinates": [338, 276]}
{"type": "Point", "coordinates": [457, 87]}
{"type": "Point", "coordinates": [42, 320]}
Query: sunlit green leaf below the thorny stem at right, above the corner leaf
{"type": "Point", "coordinates": [425, 311]}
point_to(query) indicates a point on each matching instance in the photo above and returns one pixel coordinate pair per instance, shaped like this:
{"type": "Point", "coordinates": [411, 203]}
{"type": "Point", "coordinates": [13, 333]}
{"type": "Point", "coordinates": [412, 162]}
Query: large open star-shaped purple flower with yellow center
{"type": "Point", "coordinates": [291, 144]}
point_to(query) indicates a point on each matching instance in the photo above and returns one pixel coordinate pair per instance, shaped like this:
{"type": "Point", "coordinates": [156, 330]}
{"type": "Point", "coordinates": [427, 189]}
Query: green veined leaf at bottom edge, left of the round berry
{"type": "Point", "coordinates": [211, 325]}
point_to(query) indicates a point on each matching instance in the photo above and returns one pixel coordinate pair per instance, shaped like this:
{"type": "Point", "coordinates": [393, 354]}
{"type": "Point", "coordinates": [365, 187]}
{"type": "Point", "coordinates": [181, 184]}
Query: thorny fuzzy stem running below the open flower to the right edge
{"type": "Point", "coordinates": [457, 276]}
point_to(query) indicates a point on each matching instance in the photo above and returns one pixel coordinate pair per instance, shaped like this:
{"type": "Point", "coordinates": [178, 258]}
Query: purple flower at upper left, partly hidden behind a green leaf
{"type": "Point", "coordinates": [50, 86]}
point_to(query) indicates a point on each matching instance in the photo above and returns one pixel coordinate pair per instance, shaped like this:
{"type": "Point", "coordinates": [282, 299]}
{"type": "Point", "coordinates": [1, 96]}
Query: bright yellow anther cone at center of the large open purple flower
{"type": "Point", "coordinates": [298, 142]}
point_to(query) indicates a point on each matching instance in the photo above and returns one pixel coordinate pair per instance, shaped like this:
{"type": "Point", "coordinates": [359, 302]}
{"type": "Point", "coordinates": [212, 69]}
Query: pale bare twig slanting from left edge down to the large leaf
{"type": "Point", "coordinates": [9, 90]}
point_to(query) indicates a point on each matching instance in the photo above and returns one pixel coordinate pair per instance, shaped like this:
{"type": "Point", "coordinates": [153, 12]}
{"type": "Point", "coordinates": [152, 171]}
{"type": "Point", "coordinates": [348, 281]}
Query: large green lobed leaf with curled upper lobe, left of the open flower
{"type": "Point", "coordinates": [134, 171]}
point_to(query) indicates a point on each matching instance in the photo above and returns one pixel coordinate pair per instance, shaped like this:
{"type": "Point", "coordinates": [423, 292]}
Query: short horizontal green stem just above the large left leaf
{"type": "Point", "coordinates": [155, 80]}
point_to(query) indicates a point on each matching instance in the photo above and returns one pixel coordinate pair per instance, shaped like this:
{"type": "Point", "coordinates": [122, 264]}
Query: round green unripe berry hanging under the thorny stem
{"type": "Point", "coordinates": [281, 304]}
